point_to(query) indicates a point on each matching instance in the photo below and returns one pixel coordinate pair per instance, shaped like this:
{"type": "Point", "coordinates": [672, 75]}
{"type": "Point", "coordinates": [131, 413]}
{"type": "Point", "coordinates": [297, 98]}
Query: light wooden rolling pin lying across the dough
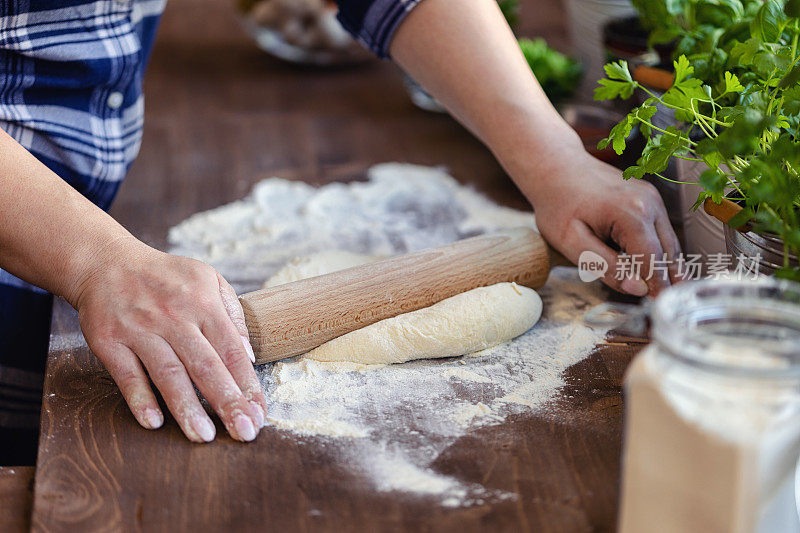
{"type": "Point", "coordinates": [293, 318]}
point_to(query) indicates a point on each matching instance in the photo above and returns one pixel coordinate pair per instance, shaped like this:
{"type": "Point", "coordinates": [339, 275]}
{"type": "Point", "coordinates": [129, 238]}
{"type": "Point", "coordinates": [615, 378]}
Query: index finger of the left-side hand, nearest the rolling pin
{"type": "Point", "coordinates": [226, 341]}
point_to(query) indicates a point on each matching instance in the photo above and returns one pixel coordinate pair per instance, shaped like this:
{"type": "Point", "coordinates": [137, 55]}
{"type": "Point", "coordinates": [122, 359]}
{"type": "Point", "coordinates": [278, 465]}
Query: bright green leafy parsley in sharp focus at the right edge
{"type": "Point", "coordinates": [738, 107]}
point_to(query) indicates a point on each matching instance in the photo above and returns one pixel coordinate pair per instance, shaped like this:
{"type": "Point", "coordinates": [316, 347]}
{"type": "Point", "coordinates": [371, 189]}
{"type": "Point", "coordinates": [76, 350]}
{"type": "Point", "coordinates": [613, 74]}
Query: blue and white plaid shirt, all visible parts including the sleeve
{"type": "Point", "coordinates": [71, 75]}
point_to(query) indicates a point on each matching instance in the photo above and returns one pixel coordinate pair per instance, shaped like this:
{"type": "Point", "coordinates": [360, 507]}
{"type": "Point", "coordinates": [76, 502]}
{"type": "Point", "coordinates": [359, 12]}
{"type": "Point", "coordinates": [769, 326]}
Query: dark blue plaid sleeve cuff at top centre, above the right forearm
{"type": "Point", "coordinates": [373, 22]}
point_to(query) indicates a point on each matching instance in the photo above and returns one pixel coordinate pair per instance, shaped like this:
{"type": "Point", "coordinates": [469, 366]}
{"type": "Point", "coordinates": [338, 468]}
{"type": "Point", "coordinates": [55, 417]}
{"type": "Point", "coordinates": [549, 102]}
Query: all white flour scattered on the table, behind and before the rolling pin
{"type": "Point", "coordinates": [390, 423]}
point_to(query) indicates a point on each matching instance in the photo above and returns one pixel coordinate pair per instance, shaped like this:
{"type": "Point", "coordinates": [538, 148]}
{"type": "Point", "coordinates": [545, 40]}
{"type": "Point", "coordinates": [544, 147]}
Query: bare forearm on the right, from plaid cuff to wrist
{"type": "Point", "coordinates": [464, 53]}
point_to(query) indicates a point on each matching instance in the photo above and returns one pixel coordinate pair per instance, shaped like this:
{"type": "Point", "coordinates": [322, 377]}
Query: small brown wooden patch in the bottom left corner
{"type": "Point", "coordinates": [16, 498]}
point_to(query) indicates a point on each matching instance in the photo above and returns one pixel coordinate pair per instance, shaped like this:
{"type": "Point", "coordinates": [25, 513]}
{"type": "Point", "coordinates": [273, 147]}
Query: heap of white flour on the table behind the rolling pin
{"type": "Point", "coordinates": [402, 208]}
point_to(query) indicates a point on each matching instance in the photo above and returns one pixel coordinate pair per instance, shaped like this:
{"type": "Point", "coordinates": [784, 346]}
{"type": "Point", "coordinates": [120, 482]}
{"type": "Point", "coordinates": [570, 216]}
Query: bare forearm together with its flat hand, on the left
{"type": "Point", "coordinates": [145, 314]}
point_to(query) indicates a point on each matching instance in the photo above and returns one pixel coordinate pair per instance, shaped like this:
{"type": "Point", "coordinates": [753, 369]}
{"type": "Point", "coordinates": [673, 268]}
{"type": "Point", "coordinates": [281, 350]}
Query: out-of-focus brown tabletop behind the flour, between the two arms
{"type": "Point", "coordinates": [222, 114]}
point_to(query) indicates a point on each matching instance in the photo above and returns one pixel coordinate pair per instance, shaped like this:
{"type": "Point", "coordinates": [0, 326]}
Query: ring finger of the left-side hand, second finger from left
{"type": "Point", "coordinates": [170, 377]}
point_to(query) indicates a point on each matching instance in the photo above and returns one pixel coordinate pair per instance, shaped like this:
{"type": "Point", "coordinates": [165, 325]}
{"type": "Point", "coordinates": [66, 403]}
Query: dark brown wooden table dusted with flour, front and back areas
{"type": "Point", "coordinates": [221, 115]}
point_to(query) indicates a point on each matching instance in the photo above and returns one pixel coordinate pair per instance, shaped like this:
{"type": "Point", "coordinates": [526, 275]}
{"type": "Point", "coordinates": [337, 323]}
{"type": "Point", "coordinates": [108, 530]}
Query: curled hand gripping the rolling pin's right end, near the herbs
{"type": "Point", "coordinates": [583, 204]}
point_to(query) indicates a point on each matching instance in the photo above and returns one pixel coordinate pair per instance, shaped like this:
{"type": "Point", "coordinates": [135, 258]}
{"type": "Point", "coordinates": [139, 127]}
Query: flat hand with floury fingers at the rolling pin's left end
{"type": "Point", "coordinates": [144, 312]}
